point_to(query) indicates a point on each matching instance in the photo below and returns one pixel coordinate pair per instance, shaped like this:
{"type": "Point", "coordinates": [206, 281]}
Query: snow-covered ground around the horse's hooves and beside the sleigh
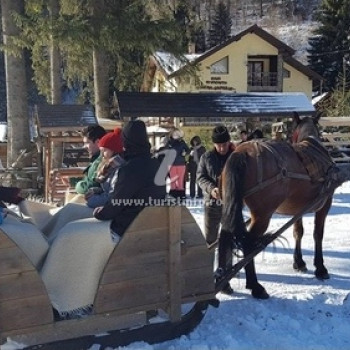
{"type": "Point", "coordinates": [302, 312]}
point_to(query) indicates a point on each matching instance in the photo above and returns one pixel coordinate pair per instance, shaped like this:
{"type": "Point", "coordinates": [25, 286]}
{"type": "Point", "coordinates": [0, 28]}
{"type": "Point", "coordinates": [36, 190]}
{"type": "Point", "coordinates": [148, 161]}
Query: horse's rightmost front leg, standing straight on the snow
{"type": "Point", "coordinates": [320, 218]}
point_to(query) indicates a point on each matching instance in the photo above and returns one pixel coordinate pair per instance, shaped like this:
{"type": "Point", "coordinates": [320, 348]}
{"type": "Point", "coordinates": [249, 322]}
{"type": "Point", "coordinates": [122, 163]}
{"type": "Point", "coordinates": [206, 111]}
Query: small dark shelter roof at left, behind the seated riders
{"type": "Point", "coordinates": [64, 117]}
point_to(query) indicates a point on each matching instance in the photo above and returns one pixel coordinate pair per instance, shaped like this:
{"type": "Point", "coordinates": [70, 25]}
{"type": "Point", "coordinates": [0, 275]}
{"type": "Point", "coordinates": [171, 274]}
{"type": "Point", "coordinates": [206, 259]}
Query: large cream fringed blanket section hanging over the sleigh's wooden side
{"type": "Point", "coordinates": [74, 265]}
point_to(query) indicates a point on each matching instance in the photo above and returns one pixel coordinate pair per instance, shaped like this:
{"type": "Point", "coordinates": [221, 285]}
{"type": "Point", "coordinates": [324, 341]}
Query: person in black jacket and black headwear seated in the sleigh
{"type": "Point", "coordinates": [135, 185]}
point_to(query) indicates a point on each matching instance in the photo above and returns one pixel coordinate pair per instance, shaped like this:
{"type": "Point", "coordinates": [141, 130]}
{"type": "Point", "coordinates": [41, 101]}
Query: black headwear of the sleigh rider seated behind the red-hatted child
{"type": "Point", "coordinates": [135, 137]}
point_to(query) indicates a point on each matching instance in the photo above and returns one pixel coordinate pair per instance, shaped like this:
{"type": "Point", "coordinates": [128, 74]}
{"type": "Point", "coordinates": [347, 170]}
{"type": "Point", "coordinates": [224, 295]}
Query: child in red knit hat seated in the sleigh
{"type": "Point", "coordinates": [111, 149]}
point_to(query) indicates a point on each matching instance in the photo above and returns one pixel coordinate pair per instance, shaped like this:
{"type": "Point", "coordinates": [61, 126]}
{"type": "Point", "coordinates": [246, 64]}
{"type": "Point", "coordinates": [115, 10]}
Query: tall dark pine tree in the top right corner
{"type": "Point", "coordinates": [331, 40]}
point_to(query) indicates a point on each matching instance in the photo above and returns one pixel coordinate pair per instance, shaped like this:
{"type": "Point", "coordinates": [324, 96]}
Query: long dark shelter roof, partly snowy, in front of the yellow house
{"type": "Point", "coordinates": [162, 104]}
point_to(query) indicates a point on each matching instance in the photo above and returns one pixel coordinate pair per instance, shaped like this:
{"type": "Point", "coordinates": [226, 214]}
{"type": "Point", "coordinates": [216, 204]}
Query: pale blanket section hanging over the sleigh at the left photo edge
{"type": "Point", "coordinates": [28, 237]}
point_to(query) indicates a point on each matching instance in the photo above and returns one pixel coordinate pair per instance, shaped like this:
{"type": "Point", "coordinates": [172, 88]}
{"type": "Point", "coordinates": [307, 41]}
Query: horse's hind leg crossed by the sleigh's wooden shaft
{"type": "Point", "coordinates": [257, 228]}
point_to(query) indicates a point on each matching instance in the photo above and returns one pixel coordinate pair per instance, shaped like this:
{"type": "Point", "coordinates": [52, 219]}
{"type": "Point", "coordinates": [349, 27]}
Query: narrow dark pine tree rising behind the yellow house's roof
{"type": "Point", "coordinates": [221, 26]}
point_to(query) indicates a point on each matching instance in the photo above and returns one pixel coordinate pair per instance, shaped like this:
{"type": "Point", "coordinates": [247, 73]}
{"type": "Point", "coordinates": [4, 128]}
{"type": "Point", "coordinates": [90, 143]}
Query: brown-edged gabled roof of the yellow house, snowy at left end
{"type": "Point", "coordinates": [172, 66]}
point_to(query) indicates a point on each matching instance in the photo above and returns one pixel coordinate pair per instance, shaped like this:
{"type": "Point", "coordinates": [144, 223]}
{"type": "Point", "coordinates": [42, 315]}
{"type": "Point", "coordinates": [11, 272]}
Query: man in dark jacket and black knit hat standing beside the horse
{"type": "Point", "coordinates": [209, 171]}
